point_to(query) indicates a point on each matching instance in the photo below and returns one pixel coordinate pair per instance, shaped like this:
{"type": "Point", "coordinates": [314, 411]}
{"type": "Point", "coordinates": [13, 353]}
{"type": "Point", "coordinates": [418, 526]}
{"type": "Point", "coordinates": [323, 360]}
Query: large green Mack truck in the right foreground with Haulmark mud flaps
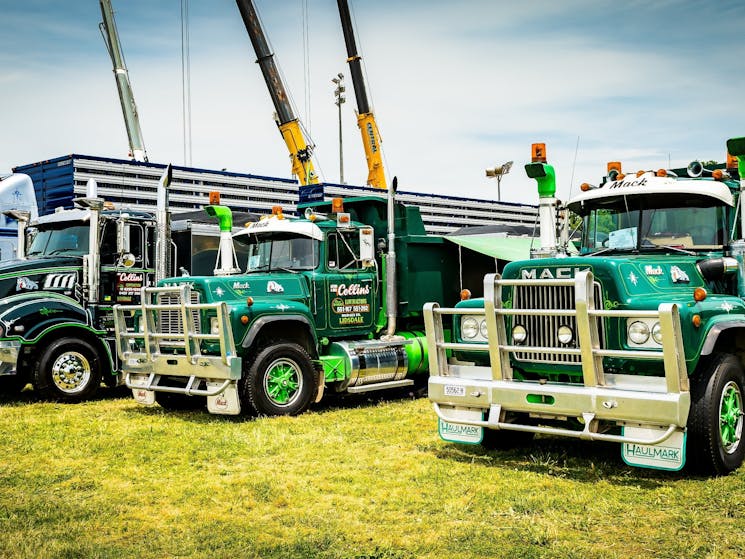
{"type": "Point", "coordinates": [639, 339]}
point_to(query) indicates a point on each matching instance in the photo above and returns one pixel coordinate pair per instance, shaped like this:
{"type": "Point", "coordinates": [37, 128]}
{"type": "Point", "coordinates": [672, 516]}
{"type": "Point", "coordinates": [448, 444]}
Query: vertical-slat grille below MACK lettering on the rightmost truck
{"type": "Point", "coordinates": [543, 330]}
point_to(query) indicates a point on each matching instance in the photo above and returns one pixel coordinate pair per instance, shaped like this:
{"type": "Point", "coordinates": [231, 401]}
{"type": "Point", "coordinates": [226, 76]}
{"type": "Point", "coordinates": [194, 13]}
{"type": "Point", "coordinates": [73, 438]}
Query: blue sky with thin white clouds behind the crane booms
{"type": "Point", "coordinates": [456, 87]}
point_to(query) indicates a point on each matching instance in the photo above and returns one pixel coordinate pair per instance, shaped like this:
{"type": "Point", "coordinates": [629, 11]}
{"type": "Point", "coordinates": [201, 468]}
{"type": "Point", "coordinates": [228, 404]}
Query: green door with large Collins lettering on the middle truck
{"type": "Point", "coordinates": [350, 290]}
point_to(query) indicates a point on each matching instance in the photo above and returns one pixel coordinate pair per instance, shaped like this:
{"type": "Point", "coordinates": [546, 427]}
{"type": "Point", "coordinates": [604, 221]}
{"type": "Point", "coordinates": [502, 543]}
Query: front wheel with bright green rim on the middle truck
{"type": "Point", "coordinates": [281, 380]}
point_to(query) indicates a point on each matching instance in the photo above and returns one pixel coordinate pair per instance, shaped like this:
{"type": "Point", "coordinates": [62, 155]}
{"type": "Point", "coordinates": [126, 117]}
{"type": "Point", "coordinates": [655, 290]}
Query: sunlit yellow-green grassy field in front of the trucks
{"type": "Point", "coordinates": [354, 479]}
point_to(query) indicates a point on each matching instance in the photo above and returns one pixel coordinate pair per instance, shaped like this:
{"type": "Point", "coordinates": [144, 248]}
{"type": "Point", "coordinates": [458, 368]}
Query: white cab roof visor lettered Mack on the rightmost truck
{"type": "Point", "coordinates": [650, 184]}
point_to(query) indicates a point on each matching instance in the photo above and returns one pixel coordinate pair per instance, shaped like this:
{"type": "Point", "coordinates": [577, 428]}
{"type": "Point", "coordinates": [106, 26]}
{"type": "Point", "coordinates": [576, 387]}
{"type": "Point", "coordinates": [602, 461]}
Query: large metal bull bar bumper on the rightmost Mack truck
{"type": "Point", "coordinates": [489, 396]}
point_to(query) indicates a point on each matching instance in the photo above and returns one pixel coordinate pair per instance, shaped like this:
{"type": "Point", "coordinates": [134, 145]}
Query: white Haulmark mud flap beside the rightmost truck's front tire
{"type": "Point", "coordinates": [667, 455]}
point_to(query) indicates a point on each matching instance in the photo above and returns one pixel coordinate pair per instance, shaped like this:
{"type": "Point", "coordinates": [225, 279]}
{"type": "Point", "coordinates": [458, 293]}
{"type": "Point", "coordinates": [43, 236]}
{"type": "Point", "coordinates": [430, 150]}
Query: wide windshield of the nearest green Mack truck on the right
{"type": "Point", "coordinates": [696, 224]}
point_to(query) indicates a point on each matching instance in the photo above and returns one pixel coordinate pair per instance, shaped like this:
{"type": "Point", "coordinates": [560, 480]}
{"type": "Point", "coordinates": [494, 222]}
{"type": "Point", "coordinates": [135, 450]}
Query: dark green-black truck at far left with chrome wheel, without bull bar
{"type": "Point", "coordinates": [56, 320]}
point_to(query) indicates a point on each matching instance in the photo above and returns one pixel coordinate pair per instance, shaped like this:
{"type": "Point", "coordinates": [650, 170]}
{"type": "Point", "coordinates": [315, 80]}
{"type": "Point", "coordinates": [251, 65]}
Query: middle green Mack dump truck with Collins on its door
{"type": "Point", "coordinates": [331, 301]}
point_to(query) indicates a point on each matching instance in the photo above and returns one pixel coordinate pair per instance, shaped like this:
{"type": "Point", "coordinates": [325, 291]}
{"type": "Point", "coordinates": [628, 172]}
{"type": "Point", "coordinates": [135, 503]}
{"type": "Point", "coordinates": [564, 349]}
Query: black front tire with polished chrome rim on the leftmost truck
{"type": "Point", "coordinates": [67, 370]}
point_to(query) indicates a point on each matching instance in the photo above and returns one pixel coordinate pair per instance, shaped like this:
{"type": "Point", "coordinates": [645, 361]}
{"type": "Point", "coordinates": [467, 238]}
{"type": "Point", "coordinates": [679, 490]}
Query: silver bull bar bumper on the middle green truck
{"type": "Point", "coordinates": [159, 358]}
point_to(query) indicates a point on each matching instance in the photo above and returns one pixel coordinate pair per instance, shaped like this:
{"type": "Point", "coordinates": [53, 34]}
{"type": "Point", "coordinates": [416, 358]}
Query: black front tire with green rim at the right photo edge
{"type": "Point", "coordinates": [715, 422]}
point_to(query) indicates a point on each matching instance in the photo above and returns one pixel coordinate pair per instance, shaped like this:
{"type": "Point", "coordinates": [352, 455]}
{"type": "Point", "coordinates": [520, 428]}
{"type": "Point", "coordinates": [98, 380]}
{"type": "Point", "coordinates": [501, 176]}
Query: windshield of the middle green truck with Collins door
{"type": "Point", "coordinates": [282, 252]}
